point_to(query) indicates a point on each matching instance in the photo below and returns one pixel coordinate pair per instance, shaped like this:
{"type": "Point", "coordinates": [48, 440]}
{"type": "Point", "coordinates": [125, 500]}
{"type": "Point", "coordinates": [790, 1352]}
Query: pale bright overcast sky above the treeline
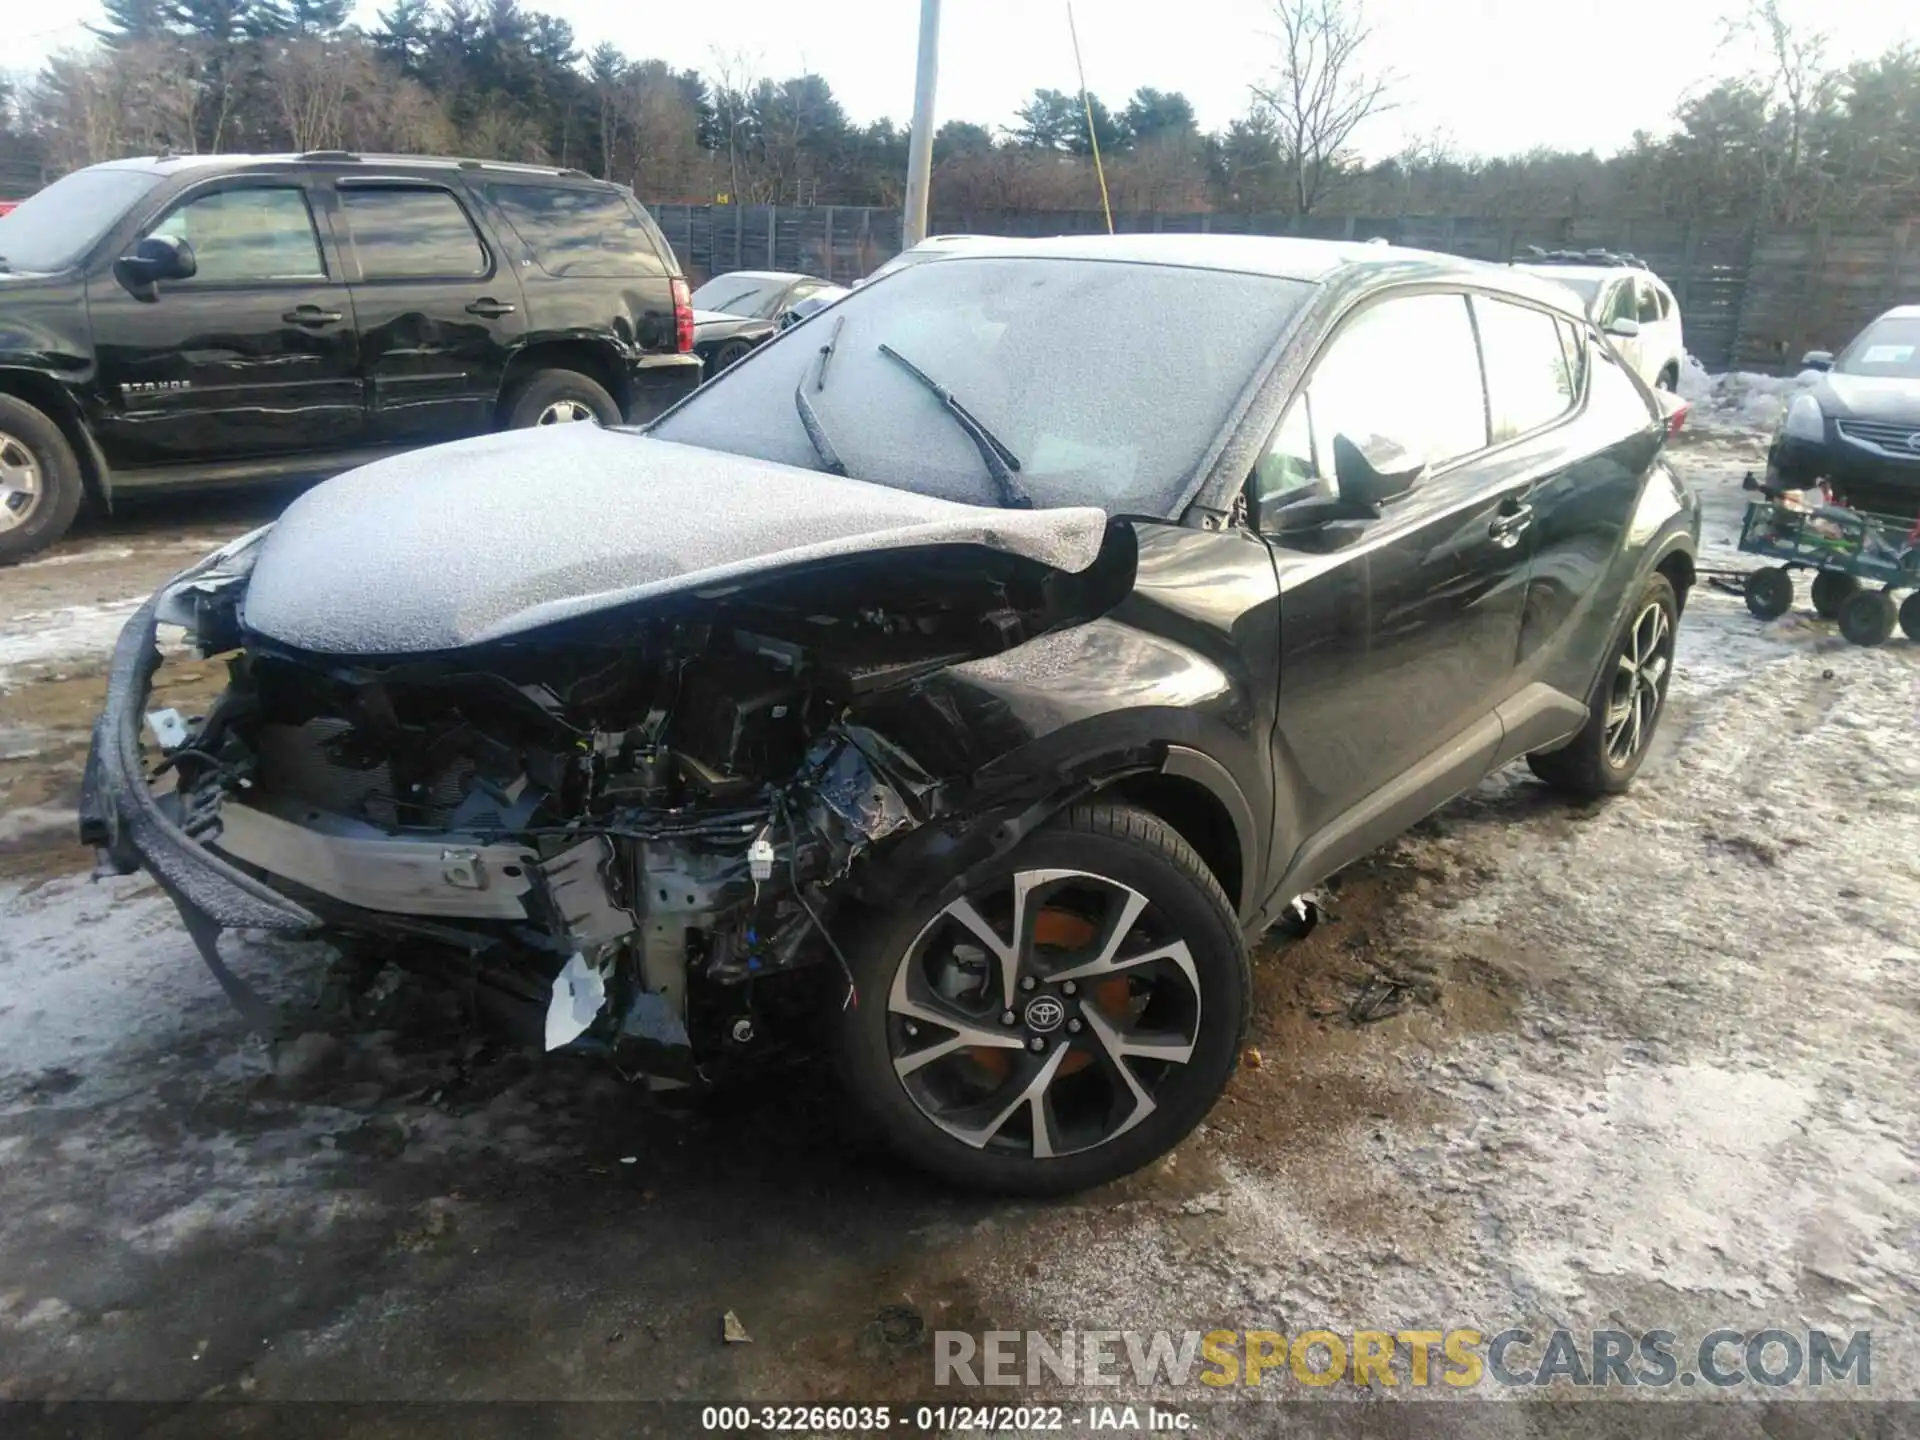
{"type": "Point", "coordinates": [1495, 76]}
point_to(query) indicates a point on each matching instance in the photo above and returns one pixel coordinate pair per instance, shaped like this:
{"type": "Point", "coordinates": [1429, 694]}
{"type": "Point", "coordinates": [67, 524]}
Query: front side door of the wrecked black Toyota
{"type": "Point", "coordinates": [1399, 633]}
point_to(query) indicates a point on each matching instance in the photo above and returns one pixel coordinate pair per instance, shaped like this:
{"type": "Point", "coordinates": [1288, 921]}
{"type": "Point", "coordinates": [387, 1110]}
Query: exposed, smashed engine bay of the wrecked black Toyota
{"type": "Point", "coordinates": [621, 828]}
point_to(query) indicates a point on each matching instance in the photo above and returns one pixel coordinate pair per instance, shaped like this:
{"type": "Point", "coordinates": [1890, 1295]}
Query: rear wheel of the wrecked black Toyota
{"type": "Point", "coordinates": [1625, 706]}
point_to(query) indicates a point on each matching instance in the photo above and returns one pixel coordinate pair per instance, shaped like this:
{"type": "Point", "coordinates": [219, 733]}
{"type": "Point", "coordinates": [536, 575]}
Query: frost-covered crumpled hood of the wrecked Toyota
{"type": "Point", "coordinates": [489, 539]}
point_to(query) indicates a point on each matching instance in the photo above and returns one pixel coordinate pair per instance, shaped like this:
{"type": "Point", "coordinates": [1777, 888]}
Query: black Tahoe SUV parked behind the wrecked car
{"type": "Point", "coordinates": [210, 320]}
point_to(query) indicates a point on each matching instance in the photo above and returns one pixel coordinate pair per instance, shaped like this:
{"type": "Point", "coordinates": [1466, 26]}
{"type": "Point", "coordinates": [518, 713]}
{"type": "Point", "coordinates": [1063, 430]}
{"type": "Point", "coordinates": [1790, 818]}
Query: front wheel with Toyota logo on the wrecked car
{"type": "Point", "coordinates": [1065, 1022]}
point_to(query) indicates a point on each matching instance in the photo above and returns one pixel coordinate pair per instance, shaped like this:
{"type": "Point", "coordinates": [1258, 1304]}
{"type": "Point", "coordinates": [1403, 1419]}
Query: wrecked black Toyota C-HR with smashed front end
{"type": "Point", "coordinates": [957, 683]}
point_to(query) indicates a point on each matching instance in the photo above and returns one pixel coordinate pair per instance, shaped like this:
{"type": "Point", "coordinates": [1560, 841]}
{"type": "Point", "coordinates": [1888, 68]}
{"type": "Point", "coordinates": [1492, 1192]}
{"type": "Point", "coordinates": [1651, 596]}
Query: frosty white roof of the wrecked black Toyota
{"type": "Point", "coordinates": [1287, 258]}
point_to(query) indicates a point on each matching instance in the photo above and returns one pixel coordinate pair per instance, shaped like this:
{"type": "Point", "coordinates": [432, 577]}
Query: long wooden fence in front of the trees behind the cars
{"type": "Point", "coordinates": [1750, 299]}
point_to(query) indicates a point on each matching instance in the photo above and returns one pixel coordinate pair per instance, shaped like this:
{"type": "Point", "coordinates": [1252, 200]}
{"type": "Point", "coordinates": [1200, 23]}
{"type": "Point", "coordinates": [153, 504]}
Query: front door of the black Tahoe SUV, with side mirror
{"type": "Point", "coordinates": [252, 356]}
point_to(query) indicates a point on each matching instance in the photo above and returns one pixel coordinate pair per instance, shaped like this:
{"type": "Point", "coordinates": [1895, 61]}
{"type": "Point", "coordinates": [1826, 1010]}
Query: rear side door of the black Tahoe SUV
{"type": "Point", "coordinates": [439, 308]}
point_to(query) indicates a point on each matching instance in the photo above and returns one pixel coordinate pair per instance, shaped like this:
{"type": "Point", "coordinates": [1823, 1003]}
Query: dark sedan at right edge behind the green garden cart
{"type": "Point", "coordinates": [1860, 427]}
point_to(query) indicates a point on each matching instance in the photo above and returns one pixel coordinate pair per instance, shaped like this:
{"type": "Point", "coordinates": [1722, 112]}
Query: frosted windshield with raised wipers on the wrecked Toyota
{"type": "Point", "coordinates": [1107, 381]}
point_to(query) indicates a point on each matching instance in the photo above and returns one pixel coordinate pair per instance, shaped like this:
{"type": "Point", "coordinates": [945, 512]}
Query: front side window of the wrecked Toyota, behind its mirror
{"type": "Point", "coordinates": [1404, 370]}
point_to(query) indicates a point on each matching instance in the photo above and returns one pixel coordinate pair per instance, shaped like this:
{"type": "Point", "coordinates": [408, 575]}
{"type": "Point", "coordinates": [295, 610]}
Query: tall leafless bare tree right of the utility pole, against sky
{"type": "Point", "coordinates": [1322, 91]}
